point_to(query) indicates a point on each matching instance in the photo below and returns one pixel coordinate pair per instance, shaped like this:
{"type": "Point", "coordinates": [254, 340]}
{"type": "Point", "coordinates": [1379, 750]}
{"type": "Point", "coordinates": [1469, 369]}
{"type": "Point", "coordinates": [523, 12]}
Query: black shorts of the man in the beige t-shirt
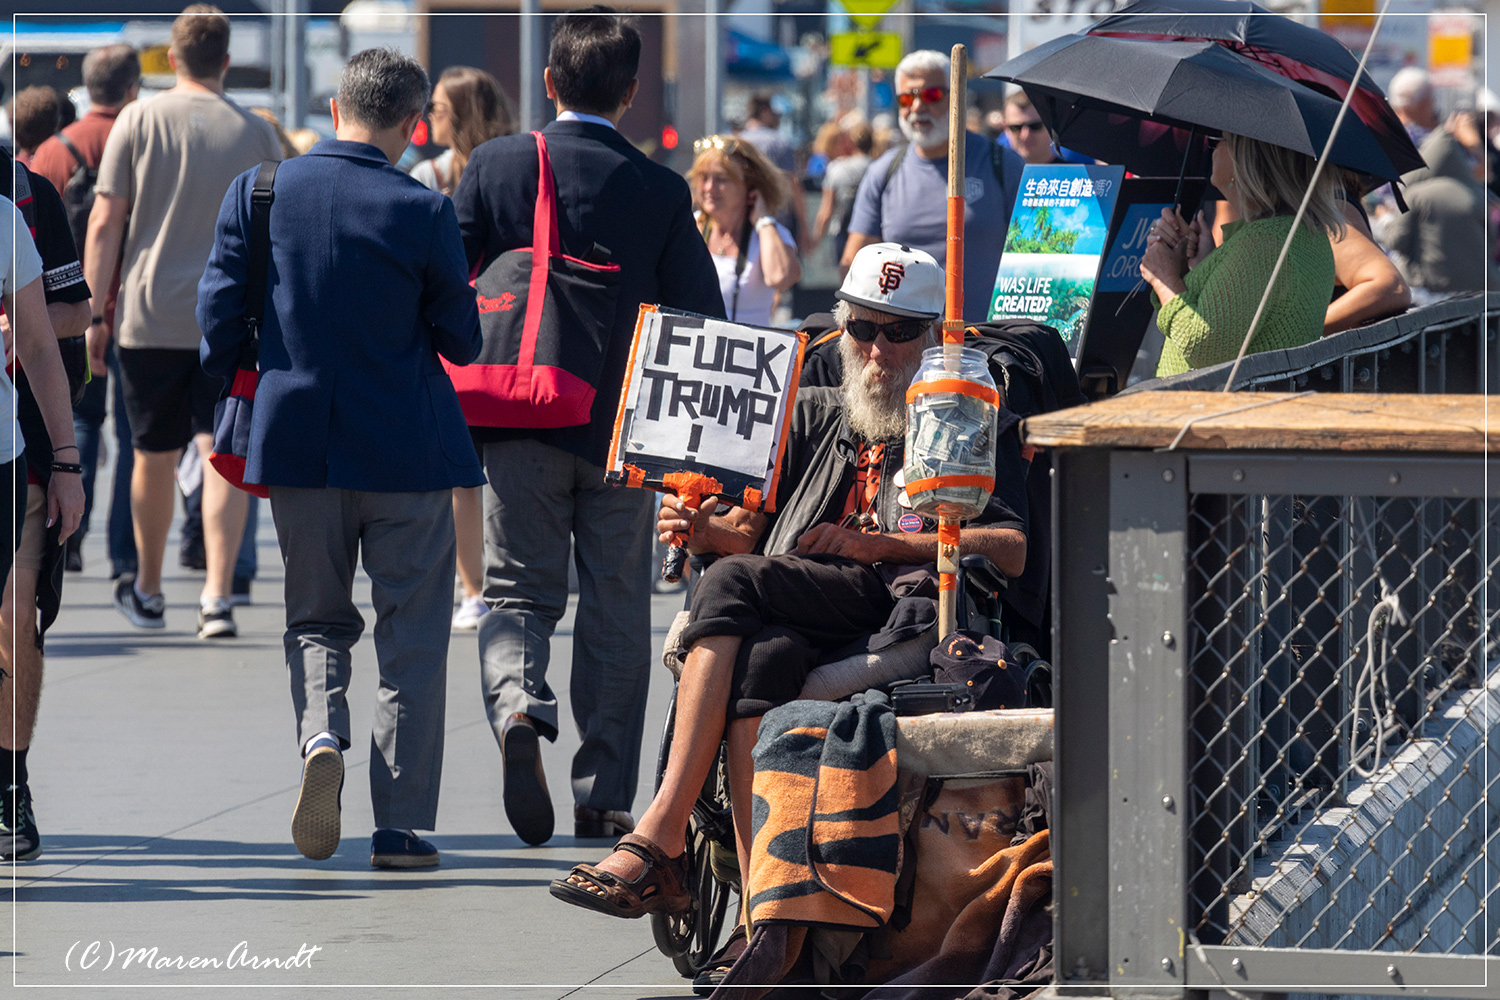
{"type": "Point", "coordinates": [169, 397]}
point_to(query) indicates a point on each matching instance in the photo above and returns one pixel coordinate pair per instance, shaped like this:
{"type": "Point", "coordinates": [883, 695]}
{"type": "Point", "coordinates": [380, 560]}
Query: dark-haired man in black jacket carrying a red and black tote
{"type": "Point", "coordinates": [611, 224]}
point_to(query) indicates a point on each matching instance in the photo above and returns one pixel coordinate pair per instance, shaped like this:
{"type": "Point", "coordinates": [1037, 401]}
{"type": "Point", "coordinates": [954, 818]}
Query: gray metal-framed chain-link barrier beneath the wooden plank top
{"type": "Point", "coordinates": [1279, 720]}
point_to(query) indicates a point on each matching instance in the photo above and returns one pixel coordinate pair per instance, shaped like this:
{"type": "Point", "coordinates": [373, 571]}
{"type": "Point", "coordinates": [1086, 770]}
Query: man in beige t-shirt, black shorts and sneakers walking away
{"type": "Point", "coordinates": [166, 169]}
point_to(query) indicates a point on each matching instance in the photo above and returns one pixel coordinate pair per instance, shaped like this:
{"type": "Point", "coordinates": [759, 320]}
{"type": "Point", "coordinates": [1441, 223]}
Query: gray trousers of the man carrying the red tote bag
{"type": "Point", "coordinates": [539, 499]}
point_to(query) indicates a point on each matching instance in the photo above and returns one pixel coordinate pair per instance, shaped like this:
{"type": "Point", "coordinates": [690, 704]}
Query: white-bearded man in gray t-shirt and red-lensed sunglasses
{"type": "Point", "coordinates": [911, 206]}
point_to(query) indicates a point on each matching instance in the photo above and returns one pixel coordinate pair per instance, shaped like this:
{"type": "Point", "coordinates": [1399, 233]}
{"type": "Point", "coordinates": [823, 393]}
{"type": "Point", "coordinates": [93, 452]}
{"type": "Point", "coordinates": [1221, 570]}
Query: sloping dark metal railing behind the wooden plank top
{"type": "Point", "coordinates": [1448, 347]}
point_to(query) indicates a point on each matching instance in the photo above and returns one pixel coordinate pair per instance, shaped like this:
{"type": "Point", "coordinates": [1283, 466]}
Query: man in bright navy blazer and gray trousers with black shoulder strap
{"type": "Point", "coordinates": [359, 436]}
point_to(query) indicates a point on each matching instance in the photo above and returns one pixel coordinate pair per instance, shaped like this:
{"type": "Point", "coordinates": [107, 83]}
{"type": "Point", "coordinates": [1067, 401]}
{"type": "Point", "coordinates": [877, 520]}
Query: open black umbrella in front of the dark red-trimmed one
{"type": "Point", "coordinates": [1147, 104]}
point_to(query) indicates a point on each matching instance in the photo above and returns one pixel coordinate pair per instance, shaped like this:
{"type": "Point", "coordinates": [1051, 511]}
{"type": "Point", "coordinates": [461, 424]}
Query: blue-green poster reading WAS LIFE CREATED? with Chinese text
{"type": "Point", "coordinates": [1054, 247]}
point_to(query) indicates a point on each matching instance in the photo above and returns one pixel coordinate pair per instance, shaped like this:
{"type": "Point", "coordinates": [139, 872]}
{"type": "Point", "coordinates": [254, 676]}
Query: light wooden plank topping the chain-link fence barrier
{"type": "Point", "coordinates": [1228, 422]}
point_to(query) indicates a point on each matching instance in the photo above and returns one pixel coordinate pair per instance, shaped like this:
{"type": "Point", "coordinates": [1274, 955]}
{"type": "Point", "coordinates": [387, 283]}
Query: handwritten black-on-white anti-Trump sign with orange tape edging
{"type": "Point", "coordinates": [707, 397]}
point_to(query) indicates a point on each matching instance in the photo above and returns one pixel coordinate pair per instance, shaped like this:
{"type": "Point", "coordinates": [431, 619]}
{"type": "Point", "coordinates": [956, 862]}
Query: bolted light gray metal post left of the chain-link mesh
{"type": "Point", "coordinates": [1148, 689]}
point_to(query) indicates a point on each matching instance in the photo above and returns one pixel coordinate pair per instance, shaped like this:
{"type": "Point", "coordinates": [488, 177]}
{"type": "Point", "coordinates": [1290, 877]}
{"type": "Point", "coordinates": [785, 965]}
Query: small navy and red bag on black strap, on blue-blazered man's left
{"type": "Point", "coordinates": [236, 407]}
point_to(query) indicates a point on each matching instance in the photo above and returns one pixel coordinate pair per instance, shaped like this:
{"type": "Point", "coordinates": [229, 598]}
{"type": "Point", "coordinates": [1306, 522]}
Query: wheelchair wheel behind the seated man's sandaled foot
{"type": "Point", "coordinates": [692, 938]}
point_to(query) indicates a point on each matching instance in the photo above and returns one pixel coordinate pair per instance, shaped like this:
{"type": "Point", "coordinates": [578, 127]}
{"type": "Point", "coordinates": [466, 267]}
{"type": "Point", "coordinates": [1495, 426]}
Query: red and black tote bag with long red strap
{"type": "Point", "coordinates": [547, 320]}
